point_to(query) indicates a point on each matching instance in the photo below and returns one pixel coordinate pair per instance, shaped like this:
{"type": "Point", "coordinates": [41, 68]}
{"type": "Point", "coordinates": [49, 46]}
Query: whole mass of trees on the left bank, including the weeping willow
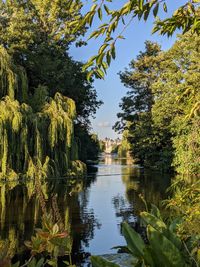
{"type": "Point", "coordinates": [43, 90]}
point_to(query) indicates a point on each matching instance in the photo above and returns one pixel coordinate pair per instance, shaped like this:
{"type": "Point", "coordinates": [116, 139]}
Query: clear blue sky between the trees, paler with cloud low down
{"type": "Point", "coordinates": [110, 90]}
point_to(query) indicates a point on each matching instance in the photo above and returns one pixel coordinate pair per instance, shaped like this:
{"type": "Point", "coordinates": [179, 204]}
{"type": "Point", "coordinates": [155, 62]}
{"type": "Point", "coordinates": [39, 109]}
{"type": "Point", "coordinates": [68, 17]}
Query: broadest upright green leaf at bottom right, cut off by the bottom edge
{"type": "Point", "coordinates": [164, 251]}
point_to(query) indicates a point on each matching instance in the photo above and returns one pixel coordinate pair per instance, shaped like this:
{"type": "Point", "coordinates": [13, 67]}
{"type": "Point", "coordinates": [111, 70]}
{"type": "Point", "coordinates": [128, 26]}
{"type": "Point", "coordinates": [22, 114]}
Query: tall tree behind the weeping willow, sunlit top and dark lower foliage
{"type": "Point", "coordinates": [38, 34]}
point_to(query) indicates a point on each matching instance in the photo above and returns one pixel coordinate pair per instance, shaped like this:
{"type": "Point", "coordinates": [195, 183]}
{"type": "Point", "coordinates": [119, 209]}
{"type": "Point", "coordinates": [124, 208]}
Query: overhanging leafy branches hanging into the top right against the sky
{"type": "Point", "coordinates": [113, 23]}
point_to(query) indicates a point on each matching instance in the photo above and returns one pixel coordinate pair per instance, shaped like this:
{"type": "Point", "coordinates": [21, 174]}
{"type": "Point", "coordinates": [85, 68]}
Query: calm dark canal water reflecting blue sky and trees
{"type": "Point", "coordinates": [92, 209]}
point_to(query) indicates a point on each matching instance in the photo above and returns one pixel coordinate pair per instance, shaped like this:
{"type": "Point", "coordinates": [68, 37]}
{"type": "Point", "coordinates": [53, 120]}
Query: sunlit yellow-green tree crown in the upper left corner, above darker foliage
{"type": "Point", "coordinates": [25, 24]}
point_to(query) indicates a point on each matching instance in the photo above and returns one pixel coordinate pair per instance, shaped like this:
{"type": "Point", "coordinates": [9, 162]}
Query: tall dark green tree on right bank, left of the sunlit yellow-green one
{"type": "Point", "coordinates": [149, 144]}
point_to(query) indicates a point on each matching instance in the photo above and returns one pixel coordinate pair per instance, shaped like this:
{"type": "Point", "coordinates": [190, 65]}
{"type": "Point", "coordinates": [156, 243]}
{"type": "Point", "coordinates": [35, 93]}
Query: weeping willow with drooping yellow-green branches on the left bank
{"type": "Point", "coordinates": [33, 139]}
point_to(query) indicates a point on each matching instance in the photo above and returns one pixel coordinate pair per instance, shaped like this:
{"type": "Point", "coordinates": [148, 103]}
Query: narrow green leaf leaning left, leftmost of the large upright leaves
{"type": "Point", "coordinates": [134, 241]}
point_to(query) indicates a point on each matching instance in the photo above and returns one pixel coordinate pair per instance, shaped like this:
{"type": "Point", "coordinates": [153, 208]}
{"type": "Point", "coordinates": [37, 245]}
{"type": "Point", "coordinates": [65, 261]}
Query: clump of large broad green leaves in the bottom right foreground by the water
{"type": "Point", "coordinates": [164, 247]}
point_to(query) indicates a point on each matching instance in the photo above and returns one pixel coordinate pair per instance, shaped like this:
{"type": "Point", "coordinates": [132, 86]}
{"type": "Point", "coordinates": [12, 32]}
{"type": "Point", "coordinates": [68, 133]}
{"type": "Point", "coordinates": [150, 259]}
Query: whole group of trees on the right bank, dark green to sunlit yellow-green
{"type": "Point", "coordinates": [161, 110]}
